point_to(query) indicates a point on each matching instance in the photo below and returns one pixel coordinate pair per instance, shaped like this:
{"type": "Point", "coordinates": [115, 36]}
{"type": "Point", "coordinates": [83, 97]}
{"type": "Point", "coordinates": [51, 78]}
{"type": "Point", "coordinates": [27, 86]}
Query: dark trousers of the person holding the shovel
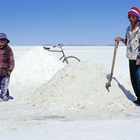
{"type": "Point", "coordinates": [135, 77]}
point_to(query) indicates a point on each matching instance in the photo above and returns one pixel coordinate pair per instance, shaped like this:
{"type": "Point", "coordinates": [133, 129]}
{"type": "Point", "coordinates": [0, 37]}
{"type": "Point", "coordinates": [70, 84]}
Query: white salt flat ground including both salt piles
{"type": "Point", "coordinates": [54, 101]}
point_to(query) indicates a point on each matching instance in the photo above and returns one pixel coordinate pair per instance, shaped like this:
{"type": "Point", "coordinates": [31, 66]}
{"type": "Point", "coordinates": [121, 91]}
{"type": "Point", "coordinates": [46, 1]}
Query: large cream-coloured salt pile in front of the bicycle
{"type": "Point", "coordinates": [79, 88]}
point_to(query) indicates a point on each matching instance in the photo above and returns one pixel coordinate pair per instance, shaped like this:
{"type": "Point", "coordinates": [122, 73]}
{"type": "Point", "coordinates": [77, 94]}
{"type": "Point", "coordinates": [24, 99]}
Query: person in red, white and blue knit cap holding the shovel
{"type": "Point", "coordinates": [132, 41]}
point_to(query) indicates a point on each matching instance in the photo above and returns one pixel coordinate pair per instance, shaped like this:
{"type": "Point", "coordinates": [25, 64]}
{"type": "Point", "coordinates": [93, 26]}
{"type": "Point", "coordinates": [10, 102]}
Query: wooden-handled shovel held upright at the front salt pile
{"type": "Point", "coordinates": [110, 76]}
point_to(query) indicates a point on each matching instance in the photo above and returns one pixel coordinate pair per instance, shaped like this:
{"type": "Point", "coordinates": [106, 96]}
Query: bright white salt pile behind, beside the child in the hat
{"type": "Point", "coordinates": [33, 68]}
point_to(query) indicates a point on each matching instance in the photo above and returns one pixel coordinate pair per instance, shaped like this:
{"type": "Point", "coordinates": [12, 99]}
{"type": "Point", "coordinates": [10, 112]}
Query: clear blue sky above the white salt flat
{"type": "Point", "coordinates": [71, 22]}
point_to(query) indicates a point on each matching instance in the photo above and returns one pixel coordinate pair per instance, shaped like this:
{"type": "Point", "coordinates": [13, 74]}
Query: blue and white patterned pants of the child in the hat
{"type": "Point", "coordinates": [4, 83]}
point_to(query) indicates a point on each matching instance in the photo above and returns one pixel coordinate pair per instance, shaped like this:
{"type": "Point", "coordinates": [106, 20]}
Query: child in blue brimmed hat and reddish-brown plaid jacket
{"type": "Point", "coordinates": [6, 66]}
